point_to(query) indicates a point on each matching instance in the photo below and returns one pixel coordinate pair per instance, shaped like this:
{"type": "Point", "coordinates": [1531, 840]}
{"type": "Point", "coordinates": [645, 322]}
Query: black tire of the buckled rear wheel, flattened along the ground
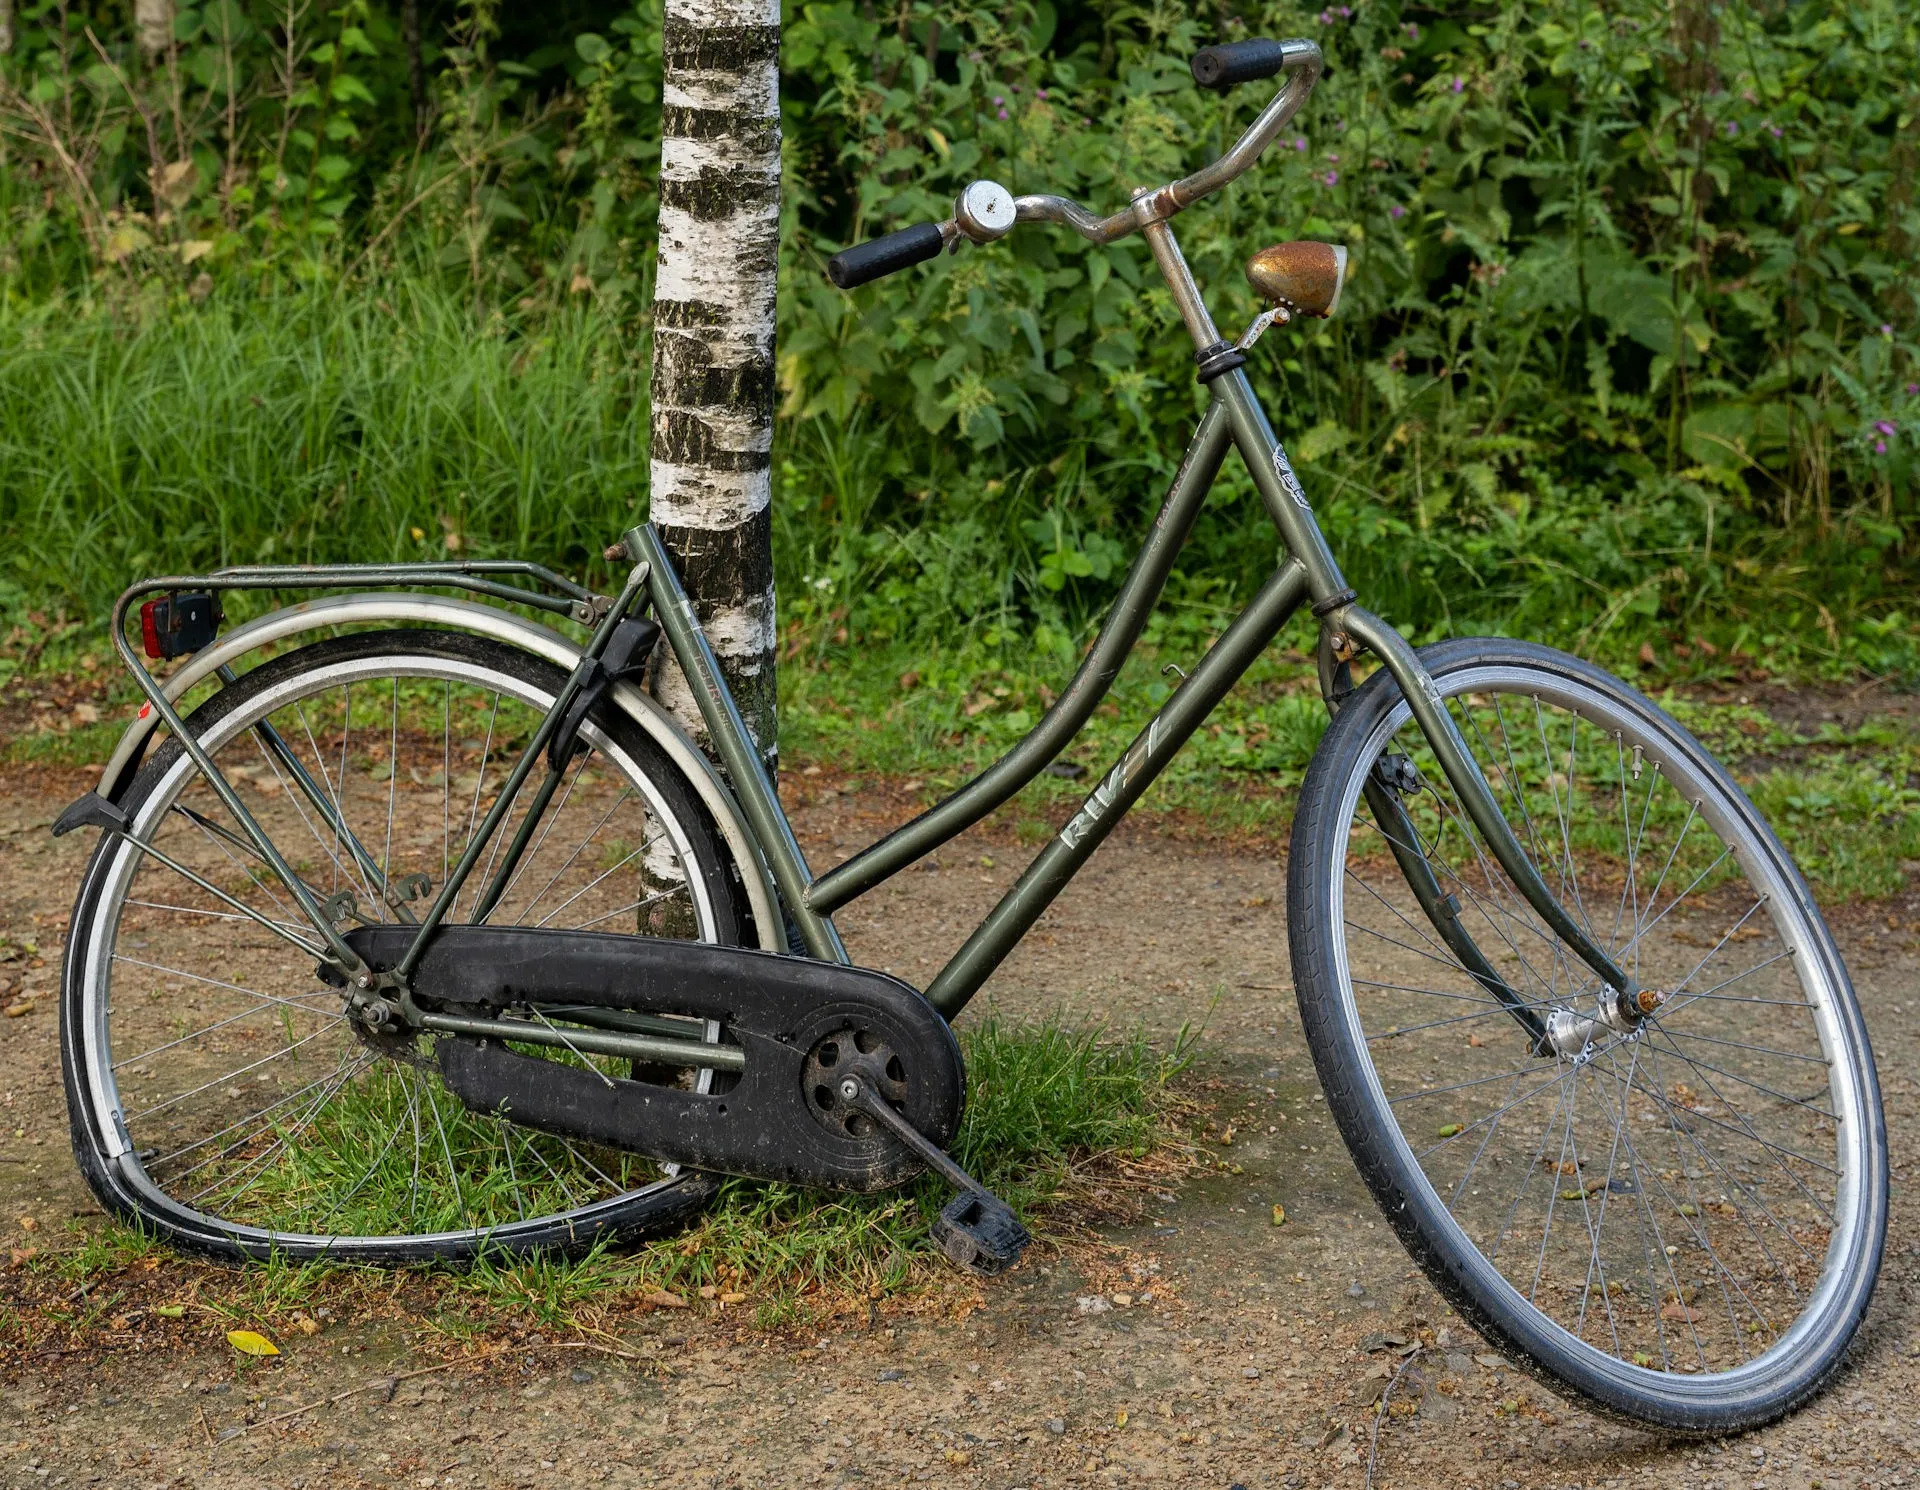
{"type": "Point", "coordinates": [114, 1170]}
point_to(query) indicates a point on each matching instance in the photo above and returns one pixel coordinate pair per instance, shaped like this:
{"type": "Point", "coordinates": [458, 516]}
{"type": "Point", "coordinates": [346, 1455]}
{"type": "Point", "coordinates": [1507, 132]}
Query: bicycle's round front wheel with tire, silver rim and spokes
{"type": "Point", "coordinates": [1677, 1222]}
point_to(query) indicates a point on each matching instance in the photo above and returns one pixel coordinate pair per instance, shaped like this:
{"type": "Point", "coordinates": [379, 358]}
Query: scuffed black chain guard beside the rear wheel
{"type": "Point", "coordinates": [769, 1124]}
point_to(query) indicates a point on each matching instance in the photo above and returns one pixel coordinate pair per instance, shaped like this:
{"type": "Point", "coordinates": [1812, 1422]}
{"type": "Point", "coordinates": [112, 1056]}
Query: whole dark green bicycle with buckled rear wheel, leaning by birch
{"type": "Point", "coordinates": [1573, 1007]}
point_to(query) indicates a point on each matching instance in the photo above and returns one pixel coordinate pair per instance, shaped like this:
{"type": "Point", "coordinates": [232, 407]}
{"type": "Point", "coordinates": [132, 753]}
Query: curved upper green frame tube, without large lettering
{"type": "Point", "coordinates": [1076, 704]}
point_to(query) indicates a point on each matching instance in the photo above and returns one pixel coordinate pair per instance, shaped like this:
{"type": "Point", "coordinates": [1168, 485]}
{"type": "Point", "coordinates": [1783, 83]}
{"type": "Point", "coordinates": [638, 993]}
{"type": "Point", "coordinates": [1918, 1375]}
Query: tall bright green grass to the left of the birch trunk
{"type": "Point", "coordinates": [308, 427]}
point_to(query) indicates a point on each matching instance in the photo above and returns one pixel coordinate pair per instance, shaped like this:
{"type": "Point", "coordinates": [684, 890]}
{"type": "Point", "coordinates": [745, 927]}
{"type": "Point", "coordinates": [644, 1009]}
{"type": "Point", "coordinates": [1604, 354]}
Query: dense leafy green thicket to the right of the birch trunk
{"type": "Point", "coordinates": [1623, 283]}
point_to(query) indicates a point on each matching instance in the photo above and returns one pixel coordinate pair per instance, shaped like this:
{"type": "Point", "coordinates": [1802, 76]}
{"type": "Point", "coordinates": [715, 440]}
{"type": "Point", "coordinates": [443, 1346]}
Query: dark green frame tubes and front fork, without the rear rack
{"type": "Point", "coordinates": [1310, 575]}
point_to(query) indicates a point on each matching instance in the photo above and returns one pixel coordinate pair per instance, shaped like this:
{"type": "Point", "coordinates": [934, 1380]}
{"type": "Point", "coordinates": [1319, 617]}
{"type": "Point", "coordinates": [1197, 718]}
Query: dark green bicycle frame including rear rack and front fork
{"type": "Point", "coordinates": [1307, 577]}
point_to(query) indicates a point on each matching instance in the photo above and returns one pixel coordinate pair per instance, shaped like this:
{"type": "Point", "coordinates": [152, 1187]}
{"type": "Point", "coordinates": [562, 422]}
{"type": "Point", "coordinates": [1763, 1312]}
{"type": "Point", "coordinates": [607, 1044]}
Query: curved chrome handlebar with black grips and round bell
{"type": "Point", "coordinates": [980, 214]}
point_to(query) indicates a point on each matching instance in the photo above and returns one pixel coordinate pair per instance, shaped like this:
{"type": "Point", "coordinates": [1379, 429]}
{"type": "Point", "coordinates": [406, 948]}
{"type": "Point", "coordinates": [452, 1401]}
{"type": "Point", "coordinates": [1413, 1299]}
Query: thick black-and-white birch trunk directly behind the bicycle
{"type": "Point", "coordinates": [713, 339]}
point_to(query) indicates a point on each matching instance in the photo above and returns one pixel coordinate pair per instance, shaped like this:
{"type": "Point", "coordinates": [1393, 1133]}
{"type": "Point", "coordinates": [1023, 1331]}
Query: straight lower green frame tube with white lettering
{"type": "Point", "coordinates": [1153, 748]}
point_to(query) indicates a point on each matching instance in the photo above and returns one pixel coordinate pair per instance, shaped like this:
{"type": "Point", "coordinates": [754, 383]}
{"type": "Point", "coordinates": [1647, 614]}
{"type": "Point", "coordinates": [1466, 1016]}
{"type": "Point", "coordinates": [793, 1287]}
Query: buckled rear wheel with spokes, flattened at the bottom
{"type": "Point", "coordinates": [216, 1088]}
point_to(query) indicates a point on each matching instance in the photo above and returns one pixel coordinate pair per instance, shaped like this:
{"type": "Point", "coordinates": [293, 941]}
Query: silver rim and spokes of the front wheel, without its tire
{"type": "Point", "coordinates": [1673, 1201]}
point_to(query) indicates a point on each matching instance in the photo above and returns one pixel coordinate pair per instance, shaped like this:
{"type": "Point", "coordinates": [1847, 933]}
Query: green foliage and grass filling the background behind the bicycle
{"type": "Point", "coordinates": [1629, 350]}
